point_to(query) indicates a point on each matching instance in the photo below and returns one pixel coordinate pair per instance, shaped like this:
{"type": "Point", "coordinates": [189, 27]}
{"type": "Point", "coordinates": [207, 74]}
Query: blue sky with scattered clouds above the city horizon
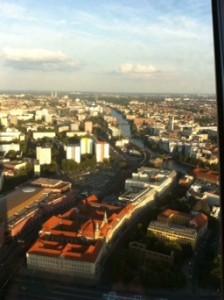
{"type": "Point", "coordinates": [140, 46]}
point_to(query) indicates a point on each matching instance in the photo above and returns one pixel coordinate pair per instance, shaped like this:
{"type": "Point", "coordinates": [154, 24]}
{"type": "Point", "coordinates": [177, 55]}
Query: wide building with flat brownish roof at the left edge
{"type": "Point", "coordinates": [24, 207]}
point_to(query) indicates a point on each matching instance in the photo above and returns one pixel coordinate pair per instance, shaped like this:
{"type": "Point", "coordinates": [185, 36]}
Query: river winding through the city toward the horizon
{"type": "Point", "coordinates": [169, 164]}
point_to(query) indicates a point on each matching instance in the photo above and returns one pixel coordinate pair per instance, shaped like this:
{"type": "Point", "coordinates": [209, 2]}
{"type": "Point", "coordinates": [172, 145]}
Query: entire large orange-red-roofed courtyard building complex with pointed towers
{"type": "Point", "coordinates": [76, 242]}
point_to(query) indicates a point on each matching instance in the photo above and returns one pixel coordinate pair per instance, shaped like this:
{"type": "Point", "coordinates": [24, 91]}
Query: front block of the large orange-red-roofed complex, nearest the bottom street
{"type": "Point", "coordinates": [74, 260]}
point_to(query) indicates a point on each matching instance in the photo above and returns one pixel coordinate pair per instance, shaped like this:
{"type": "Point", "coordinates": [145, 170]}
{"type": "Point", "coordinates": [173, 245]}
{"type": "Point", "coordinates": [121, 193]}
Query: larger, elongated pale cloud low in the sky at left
{"type": "Point", "coordinates": [38, 59]}
